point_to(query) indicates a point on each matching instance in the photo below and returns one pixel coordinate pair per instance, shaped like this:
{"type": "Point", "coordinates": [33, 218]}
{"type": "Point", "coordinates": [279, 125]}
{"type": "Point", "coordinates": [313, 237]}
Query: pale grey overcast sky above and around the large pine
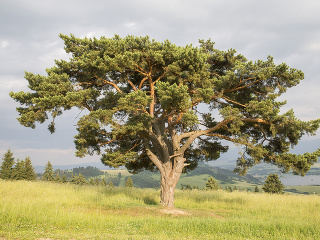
{"type": "Point", "coordinates": [288, 30]}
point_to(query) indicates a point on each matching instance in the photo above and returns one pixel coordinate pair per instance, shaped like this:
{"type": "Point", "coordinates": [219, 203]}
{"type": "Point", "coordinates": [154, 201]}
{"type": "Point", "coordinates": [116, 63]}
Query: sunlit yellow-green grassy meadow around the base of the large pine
{"type": "Point", "coordinates": [41, 210]}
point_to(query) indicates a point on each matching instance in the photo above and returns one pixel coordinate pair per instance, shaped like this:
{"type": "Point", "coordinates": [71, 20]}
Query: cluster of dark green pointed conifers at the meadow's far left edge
{"type": "Point", "coordinates": [12, 169]}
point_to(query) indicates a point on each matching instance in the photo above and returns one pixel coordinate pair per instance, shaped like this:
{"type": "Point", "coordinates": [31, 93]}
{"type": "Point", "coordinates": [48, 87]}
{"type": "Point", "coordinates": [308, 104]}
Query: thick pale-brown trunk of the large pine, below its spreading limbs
{"type": "Point", "coordinates": [169, 180]}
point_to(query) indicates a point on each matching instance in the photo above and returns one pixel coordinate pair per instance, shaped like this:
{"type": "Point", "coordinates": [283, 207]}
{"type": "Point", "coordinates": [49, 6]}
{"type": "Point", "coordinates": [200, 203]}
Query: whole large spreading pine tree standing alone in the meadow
{"type": "Point", "coordinates": [154, 105]}
